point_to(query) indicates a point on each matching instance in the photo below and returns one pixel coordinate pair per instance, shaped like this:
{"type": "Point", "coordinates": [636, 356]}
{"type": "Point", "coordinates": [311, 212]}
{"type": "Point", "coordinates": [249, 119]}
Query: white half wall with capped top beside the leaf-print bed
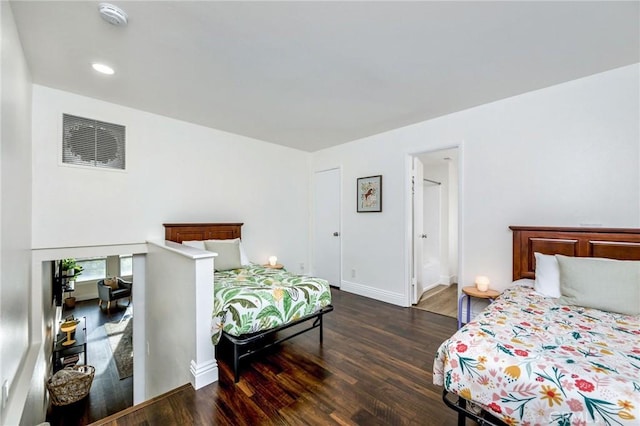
{"type": "Point", "coordinates": [179, 304]}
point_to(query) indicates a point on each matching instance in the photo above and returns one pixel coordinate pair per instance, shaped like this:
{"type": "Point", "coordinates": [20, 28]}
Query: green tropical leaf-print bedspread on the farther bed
{"type": "Point", "coordinates": [255, 298]}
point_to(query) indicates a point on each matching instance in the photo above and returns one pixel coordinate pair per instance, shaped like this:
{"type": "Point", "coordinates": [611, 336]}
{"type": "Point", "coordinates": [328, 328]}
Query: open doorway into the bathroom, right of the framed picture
{"type": "Point", "coordinates": [434, 230]}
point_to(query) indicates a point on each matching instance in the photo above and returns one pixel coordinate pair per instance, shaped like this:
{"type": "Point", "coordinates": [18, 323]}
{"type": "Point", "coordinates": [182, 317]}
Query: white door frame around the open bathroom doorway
{"type": "Point", "coordinates": [409, 237]}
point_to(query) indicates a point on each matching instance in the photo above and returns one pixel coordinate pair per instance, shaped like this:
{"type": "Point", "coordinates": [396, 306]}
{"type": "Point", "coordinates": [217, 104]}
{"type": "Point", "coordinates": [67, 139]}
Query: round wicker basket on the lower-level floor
{"type": "Point", "coordinates": [70, 384]}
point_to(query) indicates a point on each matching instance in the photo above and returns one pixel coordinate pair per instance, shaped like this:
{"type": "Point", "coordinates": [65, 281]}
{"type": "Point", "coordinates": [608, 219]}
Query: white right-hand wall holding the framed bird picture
{"type": "Point", "coordinates": [564, 156]}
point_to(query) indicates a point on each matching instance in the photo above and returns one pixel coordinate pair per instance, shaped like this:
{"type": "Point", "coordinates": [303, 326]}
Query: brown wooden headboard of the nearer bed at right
{"type": "Point", "coordinates": [613, 243]}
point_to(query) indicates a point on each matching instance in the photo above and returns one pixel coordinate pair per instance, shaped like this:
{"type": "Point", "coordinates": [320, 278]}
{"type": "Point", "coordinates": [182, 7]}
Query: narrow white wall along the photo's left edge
{"type": "Point", "coordinates": [15, 218]}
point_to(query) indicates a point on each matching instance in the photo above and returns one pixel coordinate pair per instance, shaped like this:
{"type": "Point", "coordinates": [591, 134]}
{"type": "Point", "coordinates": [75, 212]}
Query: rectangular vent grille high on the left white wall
{"type": "Point", "coordinates": [93, 143]}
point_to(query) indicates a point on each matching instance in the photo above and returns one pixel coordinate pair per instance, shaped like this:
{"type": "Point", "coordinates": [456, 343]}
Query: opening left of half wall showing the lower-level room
{"type": "Point", "coordinates": [96, 294]}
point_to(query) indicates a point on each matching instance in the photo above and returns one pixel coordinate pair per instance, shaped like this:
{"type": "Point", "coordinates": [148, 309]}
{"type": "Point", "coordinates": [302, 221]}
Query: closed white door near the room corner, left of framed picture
{"type": "Point", "coordinates": [327, 262]}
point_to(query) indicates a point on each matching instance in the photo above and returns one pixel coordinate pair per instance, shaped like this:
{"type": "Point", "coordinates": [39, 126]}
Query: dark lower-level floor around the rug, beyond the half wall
{"type": "Point", "coordinates": [108, 393]}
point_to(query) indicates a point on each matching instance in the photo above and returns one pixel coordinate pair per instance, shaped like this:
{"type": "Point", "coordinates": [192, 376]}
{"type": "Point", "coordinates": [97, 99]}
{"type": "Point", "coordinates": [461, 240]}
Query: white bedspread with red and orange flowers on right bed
{"type": "Point", "coordinates": [530, 361]}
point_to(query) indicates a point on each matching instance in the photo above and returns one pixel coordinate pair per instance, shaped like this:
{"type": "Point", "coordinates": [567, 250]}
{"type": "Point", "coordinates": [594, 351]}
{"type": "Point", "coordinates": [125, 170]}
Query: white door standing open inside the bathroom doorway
{"type": "Point", "coordinates": [418, 232]}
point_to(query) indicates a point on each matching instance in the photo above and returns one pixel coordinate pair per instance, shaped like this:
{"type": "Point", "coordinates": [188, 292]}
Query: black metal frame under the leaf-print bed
{"type": "Point", "coordinates": [240, 350]}
